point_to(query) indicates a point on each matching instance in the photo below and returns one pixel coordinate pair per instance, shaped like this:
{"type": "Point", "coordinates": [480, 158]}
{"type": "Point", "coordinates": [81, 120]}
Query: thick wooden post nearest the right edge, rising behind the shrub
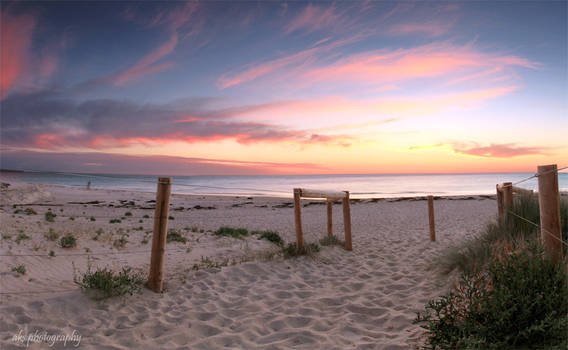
{"type": "Point", "coordinates": [549, 203]}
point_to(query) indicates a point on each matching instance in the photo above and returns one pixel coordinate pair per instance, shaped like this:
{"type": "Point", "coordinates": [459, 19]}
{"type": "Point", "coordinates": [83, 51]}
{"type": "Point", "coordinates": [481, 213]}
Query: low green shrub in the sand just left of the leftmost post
{"type": "Point", "coordinates": [104, 283]}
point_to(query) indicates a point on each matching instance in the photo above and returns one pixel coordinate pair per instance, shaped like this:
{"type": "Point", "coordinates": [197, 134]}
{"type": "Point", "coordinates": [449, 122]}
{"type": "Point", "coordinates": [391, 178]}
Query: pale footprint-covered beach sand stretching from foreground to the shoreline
{"type": "Point", "coordinates": [336, 299]}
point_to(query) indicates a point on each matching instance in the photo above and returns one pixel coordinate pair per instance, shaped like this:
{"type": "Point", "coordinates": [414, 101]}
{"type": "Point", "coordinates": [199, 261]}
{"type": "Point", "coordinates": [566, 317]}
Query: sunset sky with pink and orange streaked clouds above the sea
{"type": "Point", "coordinates": [199, 88]}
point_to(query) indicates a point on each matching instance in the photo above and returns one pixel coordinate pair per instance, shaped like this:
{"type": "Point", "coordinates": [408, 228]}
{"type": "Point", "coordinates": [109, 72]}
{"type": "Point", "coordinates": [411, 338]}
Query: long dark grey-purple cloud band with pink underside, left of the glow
{"type": "Point", "coordinates": [47, 119]}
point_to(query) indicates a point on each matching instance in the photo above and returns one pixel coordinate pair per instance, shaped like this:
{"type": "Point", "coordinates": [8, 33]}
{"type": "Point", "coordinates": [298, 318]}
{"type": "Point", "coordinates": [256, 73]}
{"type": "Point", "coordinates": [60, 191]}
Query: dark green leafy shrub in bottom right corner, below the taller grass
{"type": "Point", "coordinates": [519, 302]}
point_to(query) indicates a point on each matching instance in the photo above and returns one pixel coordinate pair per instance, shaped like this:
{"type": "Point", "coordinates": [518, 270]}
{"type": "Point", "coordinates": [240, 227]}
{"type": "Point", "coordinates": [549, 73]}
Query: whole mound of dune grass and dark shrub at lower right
{"type": "Point", "coordinates": [510, 293]}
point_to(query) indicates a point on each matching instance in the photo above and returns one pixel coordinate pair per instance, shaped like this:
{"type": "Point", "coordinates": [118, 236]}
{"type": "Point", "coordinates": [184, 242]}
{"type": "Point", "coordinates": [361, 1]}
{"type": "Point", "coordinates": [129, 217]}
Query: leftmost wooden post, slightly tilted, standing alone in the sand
{"type": "Point", "coordinates": [156, 277]}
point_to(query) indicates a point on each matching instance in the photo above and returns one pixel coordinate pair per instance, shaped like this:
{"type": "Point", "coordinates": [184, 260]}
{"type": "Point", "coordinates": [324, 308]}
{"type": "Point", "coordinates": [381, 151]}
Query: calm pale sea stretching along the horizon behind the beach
{"type": "Point", "coordinates": [360, 186]}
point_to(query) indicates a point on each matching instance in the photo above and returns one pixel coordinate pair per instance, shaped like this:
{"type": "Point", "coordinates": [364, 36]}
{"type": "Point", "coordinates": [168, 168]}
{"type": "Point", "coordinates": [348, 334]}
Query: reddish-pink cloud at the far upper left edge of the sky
{"type": "Point", "coordinates": [16, 37]}
